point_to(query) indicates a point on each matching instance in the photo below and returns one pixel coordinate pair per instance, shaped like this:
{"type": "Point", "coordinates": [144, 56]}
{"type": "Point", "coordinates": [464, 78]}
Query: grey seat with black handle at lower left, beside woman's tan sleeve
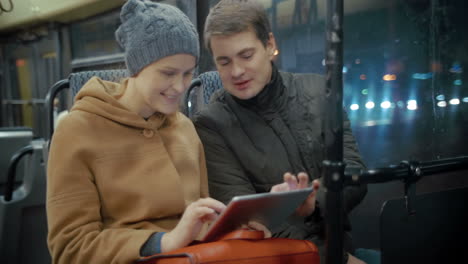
{"type": "Point", "coordinates": [23, 222]}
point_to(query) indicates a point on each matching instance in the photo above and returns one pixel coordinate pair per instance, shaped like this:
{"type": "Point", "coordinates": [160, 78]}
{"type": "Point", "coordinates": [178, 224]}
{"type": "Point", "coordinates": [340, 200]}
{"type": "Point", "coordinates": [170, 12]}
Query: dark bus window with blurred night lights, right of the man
{"type": "Point", "coordinates": [404, 80]}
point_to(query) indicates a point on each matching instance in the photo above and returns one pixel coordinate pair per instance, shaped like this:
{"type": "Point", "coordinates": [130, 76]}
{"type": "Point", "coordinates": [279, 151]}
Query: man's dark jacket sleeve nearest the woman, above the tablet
{"type": "Point", "coordinates": [226, 176]}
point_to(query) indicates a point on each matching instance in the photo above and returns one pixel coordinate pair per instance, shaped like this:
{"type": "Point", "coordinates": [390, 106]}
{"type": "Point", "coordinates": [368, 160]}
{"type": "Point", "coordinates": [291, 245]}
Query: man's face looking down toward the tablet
{"type": "Point", "coordinates": [243, 62]}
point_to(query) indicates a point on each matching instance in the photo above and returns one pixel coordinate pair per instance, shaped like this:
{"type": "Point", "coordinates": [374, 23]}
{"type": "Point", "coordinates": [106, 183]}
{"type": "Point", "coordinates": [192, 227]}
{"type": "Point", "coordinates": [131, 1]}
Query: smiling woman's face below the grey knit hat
{"type": "Point", "coordinates": [161, 84]}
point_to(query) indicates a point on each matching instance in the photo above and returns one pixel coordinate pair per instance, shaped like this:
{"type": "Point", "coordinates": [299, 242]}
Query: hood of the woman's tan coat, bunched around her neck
{"type": "Point", "coordinates": [100, 97]}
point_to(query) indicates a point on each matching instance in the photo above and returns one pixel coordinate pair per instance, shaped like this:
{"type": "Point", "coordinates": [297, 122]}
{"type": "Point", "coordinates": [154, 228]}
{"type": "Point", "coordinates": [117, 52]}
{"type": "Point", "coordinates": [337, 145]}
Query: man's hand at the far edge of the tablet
{"type": "Point", "coordinates": [291, 182]}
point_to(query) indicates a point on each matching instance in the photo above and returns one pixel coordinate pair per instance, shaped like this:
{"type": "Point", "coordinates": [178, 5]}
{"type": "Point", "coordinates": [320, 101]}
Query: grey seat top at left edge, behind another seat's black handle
{"type": "Point", "coordinates": [11, 140]}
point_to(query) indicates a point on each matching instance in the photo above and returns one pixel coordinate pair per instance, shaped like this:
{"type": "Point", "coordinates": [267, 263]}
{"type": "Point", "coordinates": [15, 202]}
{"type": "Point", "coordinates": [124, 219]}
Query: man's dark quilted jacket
{"type": "Point", "coordinates": [250, 144]}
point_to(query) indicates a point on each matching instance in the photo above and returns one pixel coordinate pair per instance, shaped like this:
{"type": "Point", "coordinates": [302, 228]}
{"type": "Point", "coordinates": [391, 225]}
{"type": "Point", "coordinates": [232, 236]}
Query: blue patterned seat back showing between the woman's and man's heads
{"type": "Point", "coordinates": [195, 99]}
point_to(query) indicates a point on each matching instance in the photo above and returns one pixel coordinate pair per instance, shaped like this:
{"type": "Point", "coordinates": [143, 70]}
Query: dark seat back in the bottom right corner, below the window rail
{"type": "Point", "coordinates": [433, 234]}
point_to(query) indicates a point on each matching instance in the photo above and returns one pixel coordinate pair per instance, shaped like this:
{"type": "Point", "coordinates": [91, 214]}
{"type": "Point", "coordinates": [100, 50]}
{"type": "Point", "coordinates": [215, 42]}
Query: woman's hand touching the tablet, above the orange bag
{"type": "Point", "coordinates": [195, 215]}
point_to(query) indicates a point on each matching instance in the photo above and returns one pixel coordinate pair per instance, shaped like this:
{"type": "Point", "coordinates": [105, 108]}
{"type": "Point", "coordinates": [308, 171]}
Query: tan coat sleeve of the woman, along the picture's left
{"type": "Point", "coordinates": [76, 233]}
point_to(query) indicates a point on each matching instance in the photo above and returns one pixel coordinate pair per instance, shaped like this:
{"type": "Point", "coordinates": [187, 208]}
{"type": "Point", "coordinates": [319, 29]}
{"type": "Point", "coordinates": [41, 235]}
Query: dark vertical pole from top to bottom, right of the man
{"type": "Point", "coordinates": [333, 128]}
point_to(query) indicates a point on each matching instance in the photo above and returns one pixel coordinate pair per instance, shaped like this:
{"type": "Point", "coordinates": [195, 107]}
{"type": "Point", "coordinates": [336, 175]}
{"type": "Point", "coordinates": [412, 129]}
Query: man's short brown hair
{"type": "Point", "coordinates": [229, 17]}
